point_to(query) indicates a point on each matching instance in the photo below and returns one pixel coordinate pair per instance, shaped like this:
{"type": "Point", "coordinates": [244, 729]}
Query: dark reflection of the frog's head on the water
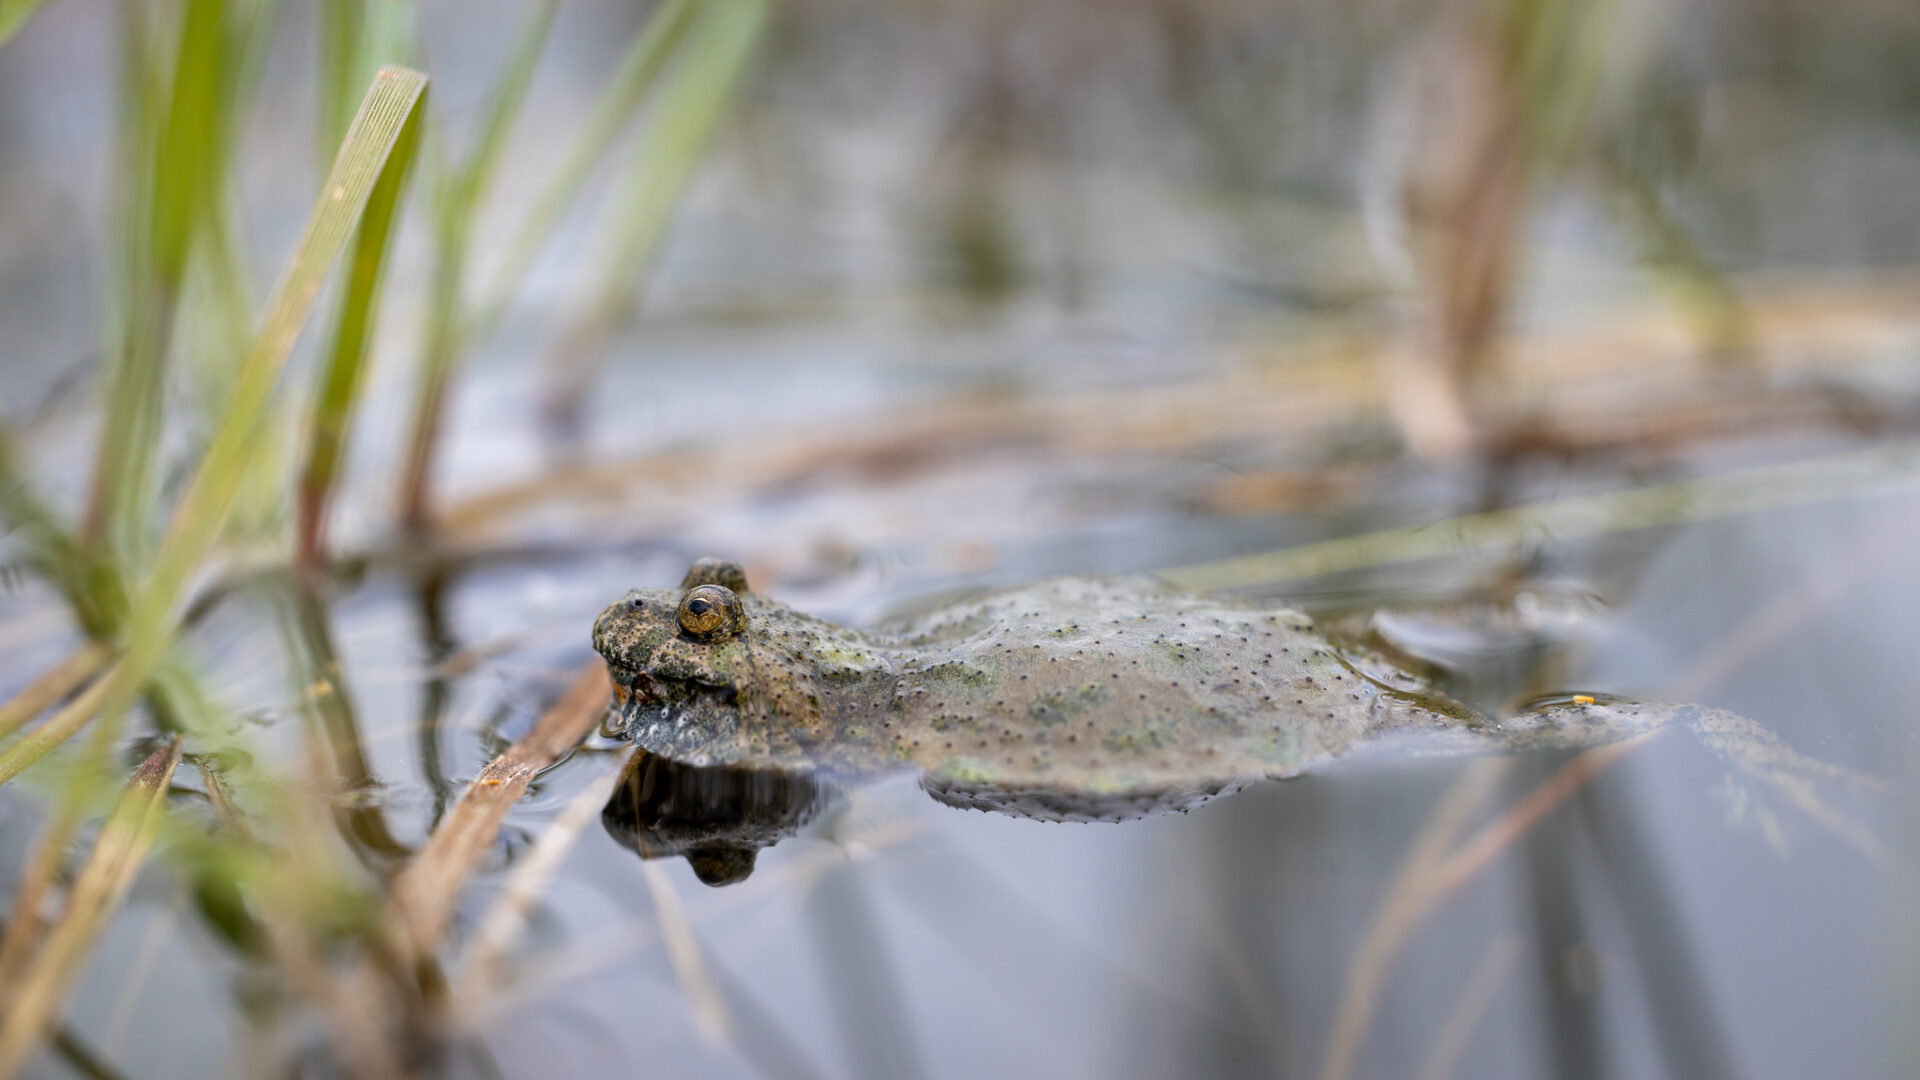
{"type": "Point", "coordinates": [717, 816]}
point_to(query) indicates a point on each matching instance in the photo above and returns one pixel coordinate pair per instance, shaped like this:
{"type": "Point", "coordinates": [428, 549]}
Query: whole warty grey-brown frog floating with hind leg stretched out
{"type": "Point", "coordinates": [1080, 699]}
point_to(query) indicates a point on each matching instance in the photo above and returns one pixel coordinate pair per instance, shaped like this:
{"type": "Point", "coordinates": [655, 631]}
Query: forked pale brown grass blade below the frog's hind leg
{"type": "Point", "coordinates": [1433, 871]}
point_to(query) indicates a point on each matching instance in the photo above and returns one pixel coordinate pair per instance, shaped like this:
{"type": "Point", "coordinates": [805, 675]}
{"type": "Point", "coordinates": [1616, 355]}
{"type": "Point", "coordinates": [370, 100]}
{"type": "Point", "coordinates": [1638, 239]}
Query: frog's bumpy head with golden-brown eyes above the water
{"type": "Point", "coordinates": [681, 654]}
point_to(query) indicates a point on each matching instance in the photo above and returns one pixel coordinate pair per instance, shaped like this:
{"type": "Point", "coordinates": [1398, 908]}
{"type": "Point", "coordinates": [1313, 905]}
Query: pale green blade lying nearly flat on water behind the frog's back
{"type": "Point", "coordinates": [1654, 506]}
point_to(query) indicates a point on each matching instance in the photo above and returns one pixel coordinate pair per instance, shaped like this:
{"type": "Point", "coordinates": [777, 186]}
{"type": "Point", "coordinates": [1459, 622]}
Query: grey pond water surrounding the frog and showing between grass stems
{"type": "Point", "coordinates": [974, 299]}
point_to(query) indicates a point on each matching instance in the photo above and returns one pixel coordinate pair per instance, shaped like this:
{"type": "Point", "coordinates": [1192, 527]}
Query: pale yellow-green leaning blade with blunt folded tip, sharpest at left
{"type": "Point", "coordinates": [387, 114]}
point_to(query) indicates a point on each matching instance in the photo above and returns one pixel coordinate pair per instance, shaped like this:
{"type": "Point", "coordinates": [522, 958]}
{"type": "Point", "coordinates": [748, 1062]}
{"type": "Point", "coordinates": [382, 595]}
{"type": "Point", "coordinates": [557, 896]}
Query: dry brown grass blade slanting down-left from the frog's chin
{"type": "Point", "coordinates": [423, 893]}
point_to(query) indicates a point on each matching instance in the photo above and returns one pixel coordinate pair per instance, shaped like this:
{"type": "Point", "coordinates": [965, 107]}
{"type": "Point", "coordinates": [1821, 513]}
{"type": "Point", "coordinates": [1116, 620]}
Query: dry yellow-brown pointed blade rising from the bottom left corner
{"type": "Point", "coordinates": [97, 893]}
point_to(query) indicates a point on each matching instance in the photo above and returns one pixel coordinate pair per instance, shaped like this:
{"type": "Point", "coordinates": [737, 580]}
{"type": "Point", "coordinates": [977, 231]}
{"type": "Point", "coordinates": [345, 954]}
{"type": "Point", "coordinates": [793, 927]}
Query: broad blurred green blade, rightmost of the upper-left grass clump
{"type": "Point", "coordinates": [656, 178]}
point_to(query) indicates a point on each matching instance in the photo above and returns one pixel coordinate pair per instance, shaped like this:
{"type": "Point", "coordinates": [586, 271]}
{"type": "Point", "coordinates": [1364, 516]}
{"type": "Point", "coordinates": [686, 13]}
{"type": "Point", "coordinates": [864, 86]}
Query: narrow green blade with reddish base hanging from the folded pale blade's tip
{"type": "Point", "coordinates": [343, 376]}
